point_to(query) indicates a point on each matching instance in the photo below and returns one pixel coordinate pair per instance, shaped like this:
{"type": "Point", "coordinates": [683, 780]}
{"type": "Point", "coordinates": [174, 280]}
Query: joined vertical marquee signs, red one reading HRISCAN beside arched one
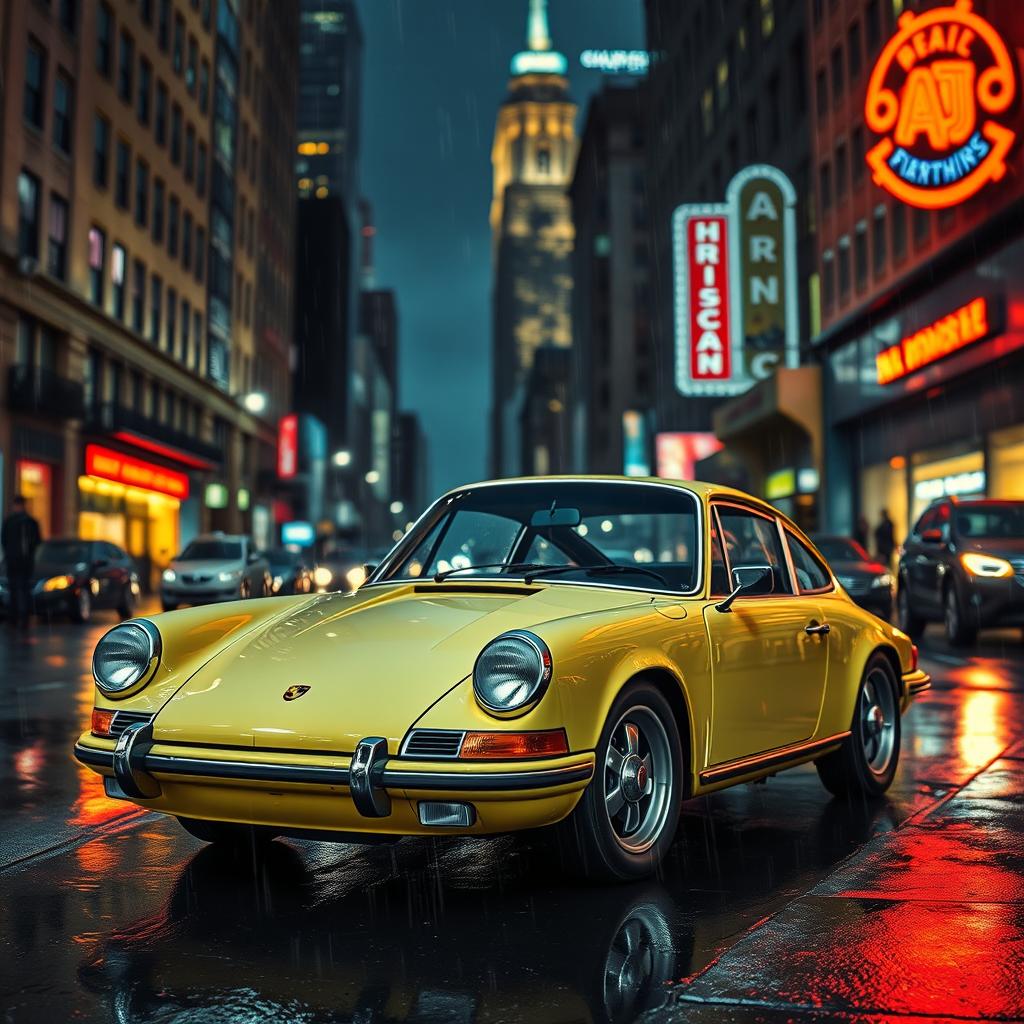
{"type": "Point", "coordinates": [736, 285]}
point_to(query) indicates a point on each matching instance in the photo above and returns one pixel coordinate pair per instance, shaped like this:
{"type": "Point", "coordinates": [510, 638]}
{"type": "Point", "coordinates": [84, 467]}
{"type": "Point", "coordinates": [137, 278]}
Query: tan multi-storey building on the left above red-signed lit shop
{"type": "Point", "coordinates": [127, 306]}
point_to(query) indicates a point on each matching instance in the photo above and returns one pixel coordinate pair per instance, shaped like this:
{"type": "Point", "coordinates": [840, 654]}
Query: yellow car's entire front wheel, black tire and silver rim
{"type": "Point", "coordinates": [626, 820]}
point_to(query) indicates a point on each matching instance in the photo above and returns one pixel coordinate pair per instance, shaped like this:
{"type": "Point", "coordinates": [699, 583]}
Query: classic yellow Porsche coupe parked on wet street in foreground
{"type": "Point", "coordinates": [579, 653]}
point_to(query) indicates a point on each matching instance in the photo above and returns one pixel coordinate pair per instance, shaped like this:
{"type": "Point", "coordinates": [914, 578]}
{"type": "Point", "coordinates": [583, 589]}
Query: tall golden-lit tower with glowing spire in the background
{"type": "Point", "coordinates": [533, 157]}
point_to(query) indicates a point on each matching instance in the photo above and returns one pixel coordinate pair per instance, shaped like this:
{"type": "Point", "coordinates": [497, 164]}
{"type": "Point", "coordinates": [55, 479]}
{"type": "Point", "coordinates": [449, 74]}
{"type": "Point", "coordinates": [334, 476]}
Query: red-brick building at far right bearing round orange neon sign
{"type": "Point", "coordinates": [919, 252]}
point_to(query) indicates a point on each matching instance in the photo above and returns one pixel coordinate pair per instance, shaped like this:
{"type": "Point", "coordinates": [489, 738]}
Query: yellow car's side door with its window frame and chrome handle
{"type": "Point", "coordinates": [770, 657]}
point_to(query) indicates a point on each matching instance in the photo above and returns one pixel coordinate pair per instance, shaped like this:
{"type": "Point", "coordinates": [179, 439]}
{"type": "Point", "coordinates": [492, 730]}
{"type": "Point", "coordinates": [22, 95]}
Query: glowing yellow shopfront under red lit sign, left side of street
{"type": "Point", "coordinates": [136, 503]}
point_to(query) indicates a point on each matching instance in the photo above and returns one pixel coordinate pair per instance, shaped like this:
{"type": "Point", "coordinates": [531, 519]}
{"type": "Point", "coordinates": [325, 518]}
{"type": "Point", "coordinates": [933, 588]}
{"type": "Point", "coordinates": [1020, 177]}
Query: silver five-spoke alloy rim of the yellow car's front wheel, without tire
{"type": "Point", "coordinates": [638, 780]}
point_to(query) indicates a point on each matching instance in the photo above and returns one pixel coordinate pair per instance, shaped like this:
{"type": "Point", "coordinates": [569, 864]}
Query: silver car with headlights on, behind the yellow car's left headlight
{"type": "Point", "coordinates": [216, 568]}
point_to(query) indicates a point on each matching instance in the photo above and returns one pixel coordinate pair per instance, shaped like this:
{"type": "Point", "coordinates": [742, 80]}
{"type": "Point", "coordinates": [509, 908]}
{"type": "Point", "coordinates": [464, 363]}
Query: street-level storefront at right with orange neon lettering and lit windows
{"type": "Point", "coordinates": [929, 401]}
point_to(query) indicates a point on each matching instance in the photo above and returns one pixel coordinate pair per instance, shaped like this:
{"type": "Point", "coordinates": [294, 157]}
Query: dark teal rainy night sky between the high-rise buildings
{"type": "Point", "coordinates": [435, 74]}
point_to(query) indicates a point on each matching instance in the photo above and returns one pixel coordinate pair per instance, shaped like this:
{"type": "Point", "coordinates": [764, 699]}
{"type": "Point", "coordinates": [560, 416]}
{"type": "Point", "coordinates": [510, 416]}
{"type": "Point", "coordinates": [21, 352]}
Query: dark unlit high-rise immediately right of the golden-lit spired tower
{"type": "Point", "coordinates": [613, 373]}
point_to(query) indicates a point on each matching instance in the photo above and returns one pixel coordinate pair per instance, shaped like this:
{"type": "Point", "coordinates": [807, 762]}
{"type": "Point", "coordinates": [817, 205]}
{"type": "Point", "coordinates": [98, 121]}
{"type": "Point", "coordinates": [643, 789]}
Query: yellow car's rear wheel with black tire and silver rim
{"type": "Point", "coordinates": [866, 763]}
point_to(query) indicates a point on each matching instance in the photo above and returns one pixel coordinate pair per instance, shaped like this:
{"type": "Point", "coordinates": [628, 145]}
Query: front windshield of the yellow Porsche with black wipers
{"type": "Point", "coordinates": [651, 529]}
